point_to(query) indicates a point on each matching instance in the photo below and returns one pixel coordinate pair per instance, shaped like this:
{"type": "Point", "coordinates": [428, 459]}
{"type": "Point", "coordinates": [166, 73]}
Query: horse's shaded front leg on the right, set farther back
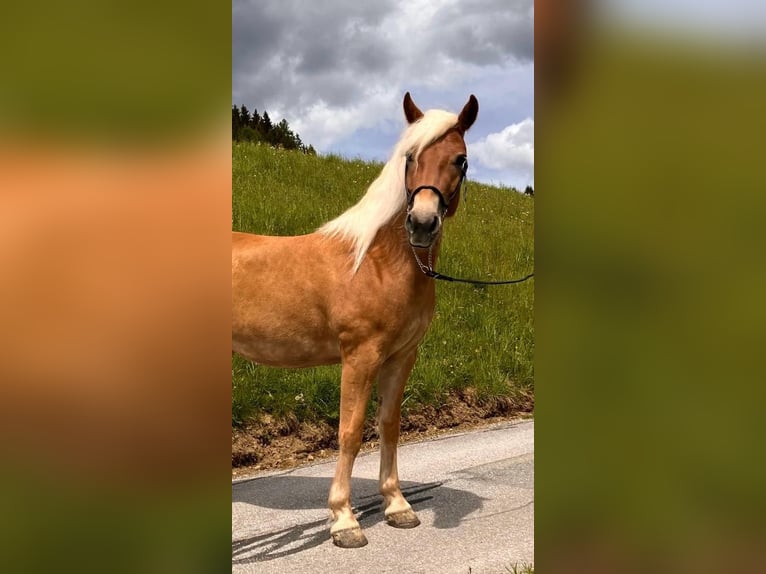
{"type": "Point", "coordinates": [393, 376]}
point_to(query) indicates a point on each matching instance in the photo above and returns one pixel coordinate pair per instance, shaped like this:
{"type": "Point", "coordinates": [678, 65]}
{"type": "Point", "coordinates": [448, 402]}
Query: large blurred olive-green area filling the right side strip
{"type": "Point", "coordinates": [651, 321]}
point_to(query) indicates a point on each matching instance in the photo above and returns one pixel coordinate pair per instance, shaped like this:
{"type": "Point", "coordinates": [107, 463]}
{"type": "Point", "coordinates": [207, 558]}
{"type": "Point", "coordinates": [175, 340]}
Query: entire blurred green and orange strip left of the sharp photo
{"type": "Point", "coordinates": [115, 185]}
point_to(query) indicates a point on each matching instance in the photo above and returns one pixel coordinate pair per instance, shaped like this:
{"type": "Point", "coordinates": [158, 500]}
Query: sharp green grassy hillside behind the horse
{"type": "Point", "coordinates": [481, 337]}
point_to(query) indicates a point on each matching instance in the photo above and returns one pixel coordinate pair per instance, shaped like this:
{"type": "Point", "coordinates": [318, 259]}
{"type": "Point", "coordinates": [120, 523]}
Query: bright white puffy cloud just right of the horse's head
{"type": "Point", "coordinates": [510, 151]}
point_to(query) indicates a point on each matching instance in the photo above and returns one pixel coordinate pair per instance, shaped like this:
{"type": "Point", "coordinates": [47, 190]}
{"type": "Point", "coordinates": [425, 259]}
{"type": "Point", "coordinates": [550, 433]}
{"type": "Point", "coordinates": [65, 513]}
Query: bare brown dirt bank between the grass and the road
{"type": "Point", "coordinates": [276, 444]}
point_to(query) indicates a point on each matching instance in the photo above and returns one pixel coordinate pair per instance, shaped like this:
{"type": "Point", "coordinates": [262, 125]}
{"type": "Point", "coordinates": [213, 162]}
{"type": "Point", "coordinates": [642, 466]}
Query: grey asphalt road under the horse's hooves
{"type": "Point", "coordinates": [473, 492]}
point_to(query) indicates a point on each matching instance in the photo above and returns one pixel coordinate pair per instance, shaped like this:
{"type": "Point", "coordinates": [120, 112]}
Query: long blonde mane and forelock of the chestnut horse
{"type": "Point", "coordinates": [385, 197]}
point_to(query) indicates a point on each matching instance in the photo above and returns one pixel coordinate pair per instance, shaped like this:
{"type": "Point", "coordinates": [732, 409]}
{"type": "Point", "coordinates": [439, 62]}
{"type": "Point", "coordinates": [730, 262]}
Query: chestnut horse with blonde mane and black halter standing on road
{"type": "Point", "coordinates": [354, 293]}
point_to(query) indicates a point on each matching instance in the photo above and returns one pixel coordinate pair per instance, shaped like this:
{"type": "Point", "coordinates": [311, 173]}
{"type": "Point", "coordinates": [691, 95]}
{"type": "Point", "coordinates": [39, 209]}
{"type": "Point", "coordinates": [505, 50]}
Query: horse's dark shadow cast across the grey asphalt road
{"type": "Point", "coordinates": [449, 505]}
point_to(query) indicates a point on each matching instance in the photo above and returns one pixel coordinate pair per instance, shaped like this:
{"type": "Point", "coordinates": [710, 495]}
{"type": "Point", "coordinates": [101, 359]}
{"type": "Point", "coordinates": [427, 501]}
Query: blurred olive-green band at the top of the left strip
{"type": "Point", "coordinates": [115, 69]}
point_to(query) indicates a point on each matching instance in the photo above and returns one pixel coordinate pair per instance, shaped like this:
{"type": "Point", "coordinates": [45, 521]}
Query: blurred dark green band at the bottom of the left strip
{"type": "Point", "coordinates": [59, 526]}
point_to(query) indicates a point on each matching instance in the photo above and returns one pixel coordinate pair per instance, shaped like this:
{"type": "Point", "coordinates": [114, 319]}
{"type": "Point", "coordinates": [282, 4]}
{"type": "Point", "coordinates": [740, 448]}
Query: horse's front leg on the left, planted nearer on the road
{"type": "Point", "coordinates": [359, 371]}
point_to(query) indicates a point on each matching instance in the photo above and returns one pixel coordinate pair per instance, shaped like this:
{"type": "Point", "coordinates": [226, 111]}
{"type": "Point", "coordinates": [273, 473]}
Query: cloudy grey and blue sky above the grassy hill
{"type": "Point", "coordinates": [337, 70]}
